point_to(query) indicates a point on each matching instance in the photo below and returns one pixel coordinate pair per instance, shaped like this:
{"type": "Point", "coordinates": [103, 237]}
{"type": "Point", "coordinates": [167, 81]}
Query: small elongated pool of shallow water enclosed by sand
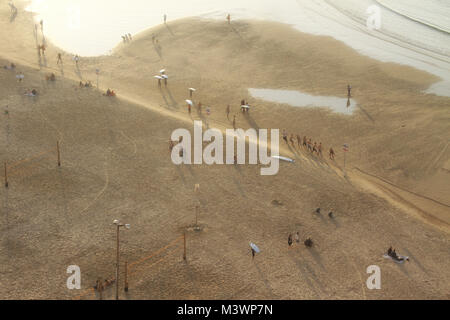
{"type": "Point", "coordinates": [299, 99]}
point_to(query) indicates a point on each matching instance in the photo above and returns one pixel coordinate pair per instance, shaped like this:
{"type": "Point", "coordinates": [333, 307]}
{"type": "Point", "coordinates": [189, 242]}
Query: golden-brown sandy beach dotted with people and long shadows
{"type": "Point", "coordinates": [116, 165]}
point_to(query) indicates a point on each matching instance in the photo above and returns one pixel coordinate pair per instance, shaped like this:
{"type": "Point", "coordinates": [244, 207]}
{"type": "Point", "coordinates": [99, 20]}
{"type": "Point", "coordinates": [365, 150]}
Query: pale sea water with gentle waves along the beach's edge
{"type": "Point", "coordinates": [94, 27]}
